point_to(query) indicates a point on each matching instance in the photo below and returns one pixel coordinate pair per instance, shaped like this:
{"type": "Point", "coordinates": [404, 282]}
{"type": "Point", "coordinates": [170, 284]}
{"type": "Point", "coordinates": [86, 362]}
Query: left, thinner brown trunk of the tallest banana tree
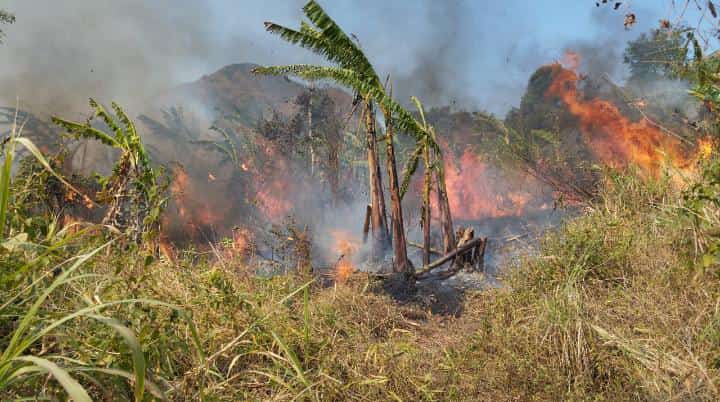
{"type": "Point", "coordinates": [377, 200]}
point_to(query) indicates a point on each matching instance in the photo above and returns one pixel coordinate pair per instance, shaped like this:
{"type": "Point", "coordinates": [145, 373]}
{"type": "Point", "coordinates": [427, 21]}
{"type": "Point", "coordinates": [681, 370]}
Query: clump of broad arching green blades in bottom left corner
{"type": "Point", "coordinates": [22, 364]}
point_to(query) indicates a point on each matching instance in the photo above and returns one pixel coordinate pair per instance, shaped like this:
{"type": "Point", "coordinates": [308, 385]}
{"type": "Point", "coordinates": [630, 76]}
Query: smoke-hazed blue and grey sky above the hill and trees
{"type": "Point", "coordinates": [475, 54]}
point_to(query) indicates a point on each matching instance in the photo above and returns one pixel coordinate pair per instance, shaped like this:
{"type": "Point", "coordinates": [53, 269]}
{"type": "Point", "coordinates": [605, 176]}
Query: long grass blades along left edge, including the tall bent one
{"type": "Point", "coordinates": [25, 306]}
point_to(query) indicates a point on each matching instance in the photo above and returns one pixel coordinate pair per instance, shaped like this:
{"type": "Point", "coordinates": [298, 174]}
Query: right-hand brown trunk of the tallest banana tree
{"type": "Point", "coordinates": [398, 228]}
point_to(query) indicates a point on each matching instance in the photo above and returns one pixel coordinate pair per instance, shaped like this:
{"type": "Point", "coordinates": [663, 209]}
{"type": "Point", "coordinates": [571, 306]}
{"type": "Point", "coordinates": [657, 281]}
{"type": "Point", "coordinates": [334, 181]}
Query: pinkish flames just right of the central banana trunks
{"type": "Point", "coordinates": [476, 191]}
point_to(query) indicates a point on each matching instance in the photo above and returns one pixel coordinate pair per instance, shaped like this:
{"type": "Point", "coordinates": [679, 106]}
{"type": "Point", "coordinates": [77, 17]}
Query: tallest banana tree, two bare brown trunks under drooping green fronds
{"type": "Point", "coordinates": [354, 70]}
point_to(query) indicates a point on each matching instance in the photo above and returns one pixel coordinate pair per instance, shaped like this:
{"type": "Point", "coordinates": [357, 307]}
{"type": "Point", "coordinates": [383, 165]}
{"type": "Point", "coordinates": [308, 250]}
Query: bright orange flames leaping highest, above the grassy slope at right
{"type": "Point", "coordinates": [612, 137]}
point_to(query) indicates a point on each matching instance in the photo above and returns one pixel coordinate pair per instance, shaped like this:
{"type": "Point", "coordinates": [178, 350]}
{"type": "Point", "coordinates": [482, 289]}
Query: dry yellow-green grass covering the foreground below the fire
{"type": "Point", "coordinates": [614, 307]}
